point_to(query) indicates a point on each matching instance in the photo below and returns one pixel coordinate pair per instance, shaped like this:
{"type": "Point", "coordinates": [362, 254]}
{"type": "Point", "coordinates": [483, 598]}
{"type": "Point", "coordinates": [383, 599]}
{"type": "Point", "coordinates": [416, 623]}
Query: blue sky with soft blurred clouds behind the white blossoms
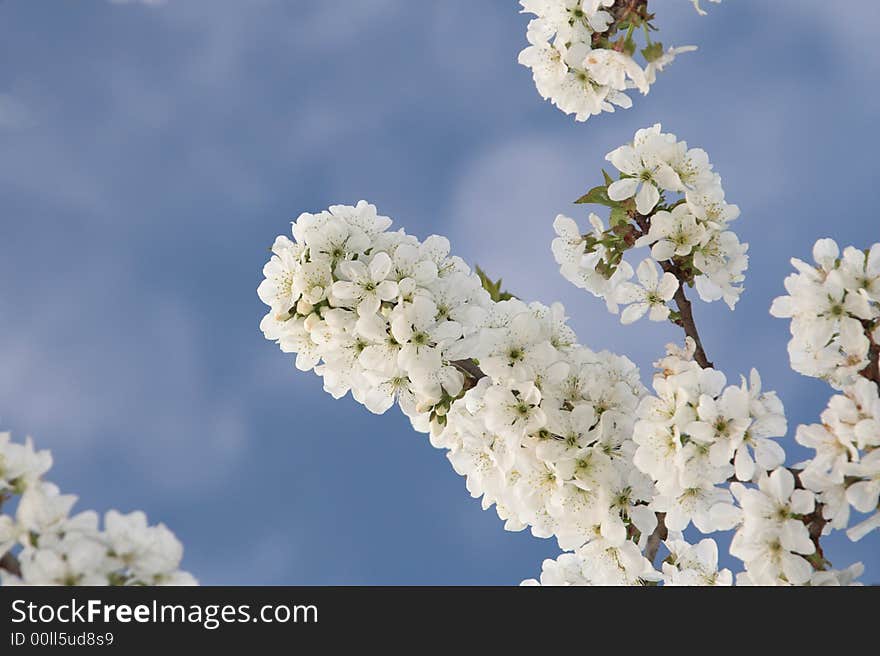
{"type": "Point", "coordinates": [150, 154]}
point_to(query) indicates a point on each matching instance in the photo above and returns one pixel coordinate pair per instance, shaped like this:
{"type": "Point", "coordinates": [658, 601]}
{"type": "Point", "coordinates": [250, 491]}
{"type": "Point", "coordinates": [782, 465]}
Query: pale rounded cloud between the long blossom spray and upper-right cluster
{"type": "Point", "coordinates": [501, 218]}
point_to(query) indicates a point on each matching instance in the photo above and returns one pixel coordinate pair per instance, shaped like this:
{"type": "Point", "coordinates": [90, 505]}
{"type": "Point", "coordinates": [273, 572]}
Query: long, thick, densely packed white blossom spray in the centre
{"type": "Point", "coordinates": [538, 424]}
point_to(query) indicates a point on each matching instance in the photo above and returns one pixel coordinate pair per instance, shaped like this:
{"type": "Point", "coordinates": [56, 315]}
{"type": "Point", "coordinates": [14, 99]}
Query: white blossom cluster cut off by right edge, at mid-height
{"type": "Point", "coordinates": [834, 307]}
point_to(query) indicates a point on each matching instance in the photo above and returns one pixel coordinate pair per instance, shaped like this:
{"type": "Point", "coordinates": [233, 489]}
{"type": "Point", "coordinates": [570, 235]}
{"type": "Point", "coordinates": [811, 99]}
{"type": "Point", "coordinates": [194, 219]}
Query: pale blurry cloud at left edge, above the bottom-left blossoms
{"type": "Point", "coordinates": [137, 388]}
